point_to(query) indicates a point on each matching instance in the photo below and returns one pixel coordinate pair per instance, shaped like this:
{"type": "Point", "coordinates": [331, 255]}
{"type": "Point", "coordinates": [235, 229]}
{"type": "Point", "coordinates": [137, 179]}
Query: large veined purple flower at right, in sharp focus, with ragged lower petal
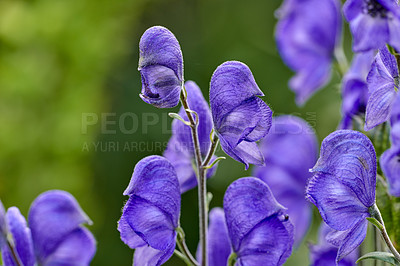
{"type": "Point", "coordinates": [343, 187]}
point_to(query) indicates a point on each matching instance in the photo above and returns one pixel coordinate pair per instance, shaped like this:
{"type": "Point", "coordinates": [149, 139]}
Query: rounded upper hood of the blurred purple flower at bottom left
{"type": "Point", "coordinates": [53, 216]}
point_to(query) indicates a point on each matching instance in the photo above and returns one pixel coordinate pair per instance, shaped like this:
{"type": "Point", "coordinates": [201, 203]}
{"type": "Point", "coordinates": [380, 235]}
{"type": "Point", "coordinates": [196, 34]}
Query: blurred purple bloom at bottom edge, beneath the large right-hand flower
{"type": "Point", "coordinates": [324, 254]}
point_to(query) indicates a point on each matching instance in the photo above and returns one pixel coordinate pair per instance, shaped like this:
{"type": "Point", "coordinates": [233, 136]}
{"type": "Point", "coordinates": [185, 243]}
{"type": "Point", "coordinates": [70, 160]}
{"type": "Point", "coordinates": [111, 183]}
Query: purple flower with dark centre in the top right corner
{"type": "Point", "coordinates": [373, 23]}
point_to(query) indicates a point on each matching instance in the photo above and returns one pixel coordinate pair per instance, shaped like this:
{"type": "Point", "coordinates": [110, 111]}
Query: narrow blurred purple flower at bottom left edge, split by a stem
{"type": "Point", "coordinates": [22, 237]}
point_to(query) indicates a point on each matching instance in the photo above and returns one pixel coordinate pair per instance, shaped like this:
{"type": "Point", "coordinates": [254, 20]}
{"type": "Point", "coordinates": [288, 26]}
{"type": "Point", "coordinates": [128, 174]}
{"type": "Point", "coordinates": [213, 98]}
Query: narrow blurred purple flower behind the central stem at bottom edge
{"type": "Point", "coordinates": [219, 246]}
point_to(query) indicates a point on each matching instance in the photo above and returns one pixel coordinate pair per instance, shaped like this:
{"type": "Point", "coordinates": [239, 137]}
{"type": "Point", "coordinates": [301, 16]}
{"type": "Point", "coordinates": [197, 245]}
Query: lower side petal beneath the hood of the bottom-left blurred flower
{"type": "Point", "coordinates": [78, 248]}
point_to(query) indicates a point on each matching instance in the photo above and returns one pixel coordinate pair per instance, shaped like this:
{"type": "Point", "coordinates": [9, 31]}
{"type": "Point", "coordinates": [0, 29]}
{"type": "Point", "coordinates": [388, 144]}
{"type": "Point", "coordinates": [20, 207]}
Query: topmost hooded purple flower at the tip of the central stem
{"type": "Point", "coordinates": [161, 67]}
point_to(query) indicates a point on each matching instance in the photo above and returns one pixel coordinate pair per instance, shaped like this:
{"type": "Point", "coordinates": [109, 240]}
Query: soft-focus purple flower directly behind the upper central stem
{"type": "Point", "coordinates": [180, 147]}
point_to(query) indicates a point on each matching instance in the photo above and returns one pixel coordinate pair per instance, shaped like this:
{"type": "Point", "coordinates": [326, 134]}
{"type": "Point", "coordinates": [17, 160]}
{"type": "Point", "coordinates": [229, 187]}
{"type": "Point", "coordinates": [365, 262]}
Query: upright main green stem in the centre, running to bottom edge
{"type": "Point", "coordinates": [201, 180]}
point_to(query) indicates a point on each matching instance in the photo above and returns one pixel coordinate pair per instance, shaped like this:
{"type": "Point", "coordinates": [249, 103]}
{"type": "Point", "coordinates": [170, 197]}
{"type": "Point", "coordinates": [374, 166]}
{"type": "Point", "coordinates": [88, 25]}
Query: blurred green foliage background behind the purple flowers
{"type": "Point", "coordinates": [71, 117]}
